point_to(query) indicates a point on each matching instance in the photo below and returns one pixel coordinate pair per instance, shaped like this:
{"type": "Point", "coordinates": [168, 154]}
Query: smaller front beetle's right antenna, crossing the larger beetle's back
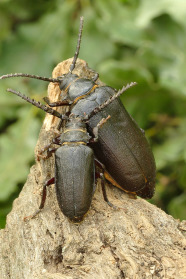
{"type": "Point", "coordinates": [110, 100]}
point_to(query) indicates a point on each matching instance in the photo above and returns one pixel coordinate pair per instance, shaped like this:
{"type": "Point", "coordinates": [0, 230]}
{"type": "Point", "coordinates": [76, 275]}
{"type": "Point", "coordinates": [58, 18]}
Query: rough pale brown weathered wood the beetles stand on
{"type": "Point", "coordinates": [138, 241]}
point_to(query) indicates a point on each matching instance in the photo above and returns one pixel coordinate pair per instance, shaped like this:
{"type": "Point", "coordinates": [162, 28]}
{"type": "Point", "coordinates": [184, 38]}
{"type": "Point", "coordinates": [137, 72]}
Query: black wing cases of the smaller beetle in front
{"type": "Point", "coordinates": [74, 180]}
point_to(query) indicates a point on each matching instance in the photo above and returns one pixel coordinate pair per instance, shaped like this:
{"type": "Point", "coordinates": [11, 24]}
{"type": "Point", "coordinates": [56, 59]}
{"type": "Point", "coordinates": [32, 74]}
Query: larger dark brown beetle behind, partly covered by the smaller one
{"type": "Point", "coordinates": [122, 146]}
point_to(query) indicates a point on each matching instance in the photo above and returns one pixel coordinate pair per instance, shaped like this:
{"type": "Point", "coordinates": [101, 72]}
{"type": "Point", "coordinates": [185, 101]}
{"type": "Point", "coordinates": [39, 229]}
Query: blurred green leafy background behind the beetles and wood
{"type": "Point", "coordinates": [124, 41]}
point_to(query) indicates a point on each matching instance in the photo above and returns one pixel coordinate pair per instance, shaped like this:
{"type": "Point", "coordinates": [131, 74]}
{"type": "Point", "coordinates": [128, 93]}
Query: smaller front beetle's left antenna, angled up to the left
{"type": "Point", "coordinates": [38, 104]}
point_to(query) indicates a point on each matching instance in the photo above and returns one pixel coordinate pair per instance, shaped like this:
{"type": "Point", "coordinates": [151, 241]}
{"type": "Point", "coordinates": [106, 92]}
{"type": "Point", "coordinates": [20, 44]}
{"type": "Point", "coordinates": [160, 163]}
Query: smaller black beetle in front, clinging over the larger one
{"type": "Point", "coordinates": [74, 160]}
